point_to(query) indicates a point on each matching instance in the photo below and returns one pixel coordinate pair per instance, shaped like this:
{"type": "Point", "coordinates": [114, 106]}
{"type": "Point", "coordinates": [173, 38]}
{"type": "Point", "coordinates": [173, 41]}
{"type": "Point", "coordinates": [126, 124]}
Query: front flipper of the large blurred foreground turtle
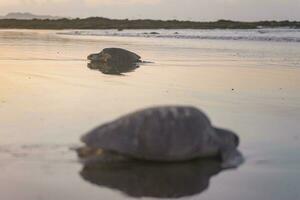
{"type": "Point", "coordinates": [231, 158]}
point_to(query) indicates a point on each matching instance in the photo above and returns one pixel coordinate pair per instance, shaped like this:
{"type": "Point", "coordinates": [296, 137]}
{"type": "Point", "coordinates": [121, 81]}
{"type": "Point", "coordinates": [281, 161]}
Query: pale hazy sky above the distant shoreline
{"type": "Point", "coordinates": [164, 9]}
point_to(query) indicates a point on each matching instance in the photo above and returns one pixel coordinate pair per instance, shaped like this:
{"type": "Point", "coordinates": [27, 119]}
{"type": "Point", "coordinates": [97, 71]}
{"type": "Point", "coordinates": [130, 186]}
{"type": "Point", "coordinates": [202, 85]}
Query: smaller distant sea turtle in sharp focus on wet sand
{"type": "Point", "coordinates": [115, 56]}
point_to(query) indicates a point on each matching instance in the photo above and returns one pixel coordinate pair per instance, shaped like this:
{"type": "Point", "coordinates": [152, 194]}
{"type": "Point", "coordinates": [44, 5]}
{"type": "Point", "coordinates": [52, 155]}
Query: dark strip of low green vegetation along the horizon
{"type": "Point", "coordinates": [104, 23]}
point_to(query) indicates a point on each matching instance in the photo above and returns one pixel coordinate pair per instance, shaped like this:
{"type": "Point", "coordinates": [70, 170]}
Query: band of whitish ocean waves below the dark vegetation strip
{"type": "Point", "coordinates": [276, 35]}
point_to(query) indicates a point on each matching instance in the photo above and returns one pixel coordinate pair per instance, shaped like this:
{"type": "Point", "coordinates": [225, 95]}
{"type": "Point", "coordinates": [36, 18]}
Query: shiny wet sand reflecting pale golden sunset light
{"type": "Point", "coordinates": [49, 98]}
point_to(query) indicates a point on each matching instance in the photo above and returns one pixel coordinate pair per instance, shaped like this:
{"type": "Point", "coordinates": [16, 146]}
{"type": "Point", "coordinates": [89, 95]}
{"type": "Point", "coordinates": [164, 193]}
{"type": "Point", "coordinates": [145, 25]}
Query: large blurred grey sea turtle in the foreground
{"type": "Point", "coordinates": [165, 134]}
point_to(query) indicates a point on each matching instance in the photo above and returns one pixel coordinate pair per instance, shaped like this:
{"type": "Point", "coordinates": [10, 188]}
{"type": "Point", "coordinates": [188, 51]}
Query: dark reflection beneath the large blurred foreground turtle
{"type": "Point", "coordinates": [151, 179]}
